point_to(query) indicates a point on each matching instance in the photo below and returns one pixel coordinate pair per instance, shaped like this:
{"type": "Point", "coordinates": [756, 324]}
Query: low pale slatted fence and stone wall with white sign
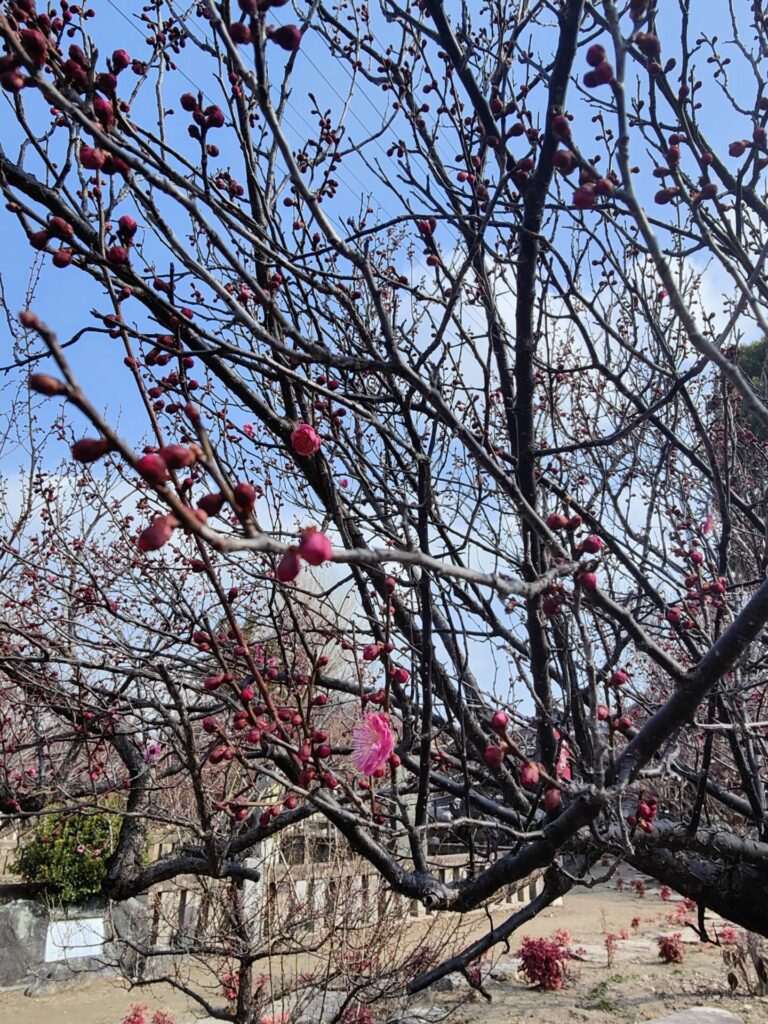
{"type": "Point", "coordinates": [44, 945]}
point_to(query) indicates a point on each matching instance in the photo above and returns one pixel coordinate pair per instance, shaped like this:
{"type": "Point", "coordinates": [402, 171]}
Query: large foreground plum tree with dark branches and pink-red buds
{"type": "Point", "coordinates": [449, 310]}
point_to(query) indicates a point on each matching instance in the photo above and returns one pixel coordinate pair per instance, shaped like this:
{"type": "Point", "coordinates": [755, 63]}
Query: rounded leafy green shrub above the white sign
{"type": "Point", "coordinates": [67, 854]}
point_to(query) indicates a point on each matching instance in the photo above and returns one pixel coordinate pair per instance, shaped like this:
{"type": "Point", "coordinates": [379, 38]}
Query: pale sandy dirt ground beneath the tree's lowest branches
{"type": "Point", "coordinates": [636, 988]}
